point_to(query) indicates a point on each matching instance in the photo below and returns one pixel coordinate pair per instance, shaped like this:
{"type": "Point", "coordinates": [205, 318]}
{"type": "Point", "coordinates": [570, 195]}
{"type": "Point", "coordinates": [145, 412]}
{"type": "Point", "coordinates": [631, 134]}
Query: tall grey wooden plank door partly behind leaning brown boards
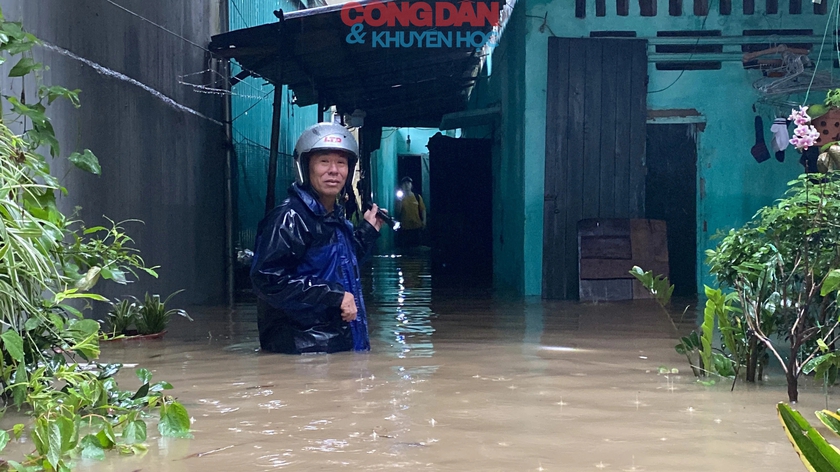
{"type": "Point", "coordinates": [596, 112]}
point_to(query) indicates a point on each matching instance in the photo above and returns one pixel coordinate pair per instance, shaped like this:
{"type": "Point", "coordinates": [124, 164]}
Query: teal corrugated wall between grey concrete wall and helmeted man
{"type": "Point", "coordinates": [252, 106]}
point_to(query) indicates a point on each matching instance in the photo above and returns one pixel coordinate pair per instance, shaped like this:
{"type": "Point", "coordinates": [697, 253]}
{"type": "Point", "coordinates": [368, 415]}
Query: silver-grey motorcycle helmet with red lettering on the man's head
{"type": "Point", "coordinates": [324, 137]}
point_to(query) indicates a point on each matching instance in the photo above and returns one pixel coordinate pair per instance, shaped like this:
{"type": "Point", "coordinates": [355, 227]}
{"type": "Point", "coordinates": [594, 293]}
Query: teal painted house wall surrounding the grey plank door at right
{"type": "Point", "coordinates": [731, 185]}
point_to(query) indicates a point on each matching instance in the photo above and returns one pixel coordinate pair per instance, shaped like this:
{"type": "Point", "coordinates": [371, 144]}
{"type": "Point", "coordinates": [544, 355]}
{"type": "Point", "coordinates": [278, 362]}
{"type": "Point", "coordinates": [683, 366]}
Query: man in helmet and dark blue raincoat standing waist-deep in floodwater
{"type": "Point", "coordinates": [307, 255]}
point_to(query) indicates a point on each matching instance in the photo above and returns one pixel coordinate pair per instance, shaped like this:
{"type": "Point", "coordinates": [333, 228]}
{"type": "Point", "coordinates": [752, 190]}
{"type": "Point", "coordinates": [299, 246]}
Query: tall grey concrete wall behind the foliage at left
{"type": "Point", "coordinates": [160, 164]}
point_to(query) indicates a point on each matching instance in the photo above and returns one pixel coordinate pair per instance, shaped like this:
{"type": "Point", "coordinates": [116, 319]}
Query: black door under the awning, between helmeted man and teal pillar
{"type": "Point", "coordinates": [461, 226]}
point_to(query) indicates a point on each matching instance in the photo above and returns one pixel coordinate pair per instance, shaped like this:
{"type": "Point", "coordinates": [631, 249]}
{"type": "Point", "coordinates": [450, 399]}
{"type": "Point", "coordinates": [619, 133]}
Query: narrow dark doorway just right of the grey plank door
{"type": "Point", "coordinates": [670, 195]}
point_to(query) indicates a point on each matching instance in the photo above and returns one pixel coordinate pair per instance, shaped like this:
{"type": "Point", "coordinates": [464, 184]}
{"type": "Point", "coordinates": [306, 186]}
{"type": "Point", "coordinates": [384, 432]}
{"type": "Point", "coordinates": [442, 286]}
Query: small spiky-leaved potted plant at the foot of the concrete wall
{"type": "Point", "coordinates": [145, 319]}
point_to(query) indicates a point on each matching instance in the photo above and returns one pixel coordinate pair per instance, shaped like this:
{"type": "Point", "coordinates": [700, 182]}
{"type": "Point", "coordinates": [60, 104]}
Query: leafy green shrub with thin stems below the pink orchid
{"type": "Point", "coordinates": [782, 269]}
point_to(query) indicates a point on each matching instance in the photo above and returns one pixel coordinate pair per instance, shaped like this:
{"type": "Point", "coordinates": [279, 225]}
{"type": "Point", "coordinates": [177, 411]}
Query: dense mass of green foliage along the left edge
{"type": "Point", "coordinates": [48, 259]}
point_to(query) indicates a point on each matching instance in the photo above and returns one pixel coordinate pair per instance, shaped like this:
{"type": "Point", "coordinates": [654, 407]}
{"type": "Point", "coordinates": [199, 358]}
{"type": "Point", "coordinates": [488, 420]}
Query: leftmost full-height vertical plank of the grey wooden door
{"type": "Point", "coordinates": [554, 226]}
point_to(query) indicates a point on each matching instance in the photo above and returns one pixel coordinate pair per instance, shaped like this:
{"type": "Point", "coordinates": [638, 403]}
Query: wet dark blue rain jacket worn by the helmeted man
{"type": "Point", "coordinates": [304, 261]}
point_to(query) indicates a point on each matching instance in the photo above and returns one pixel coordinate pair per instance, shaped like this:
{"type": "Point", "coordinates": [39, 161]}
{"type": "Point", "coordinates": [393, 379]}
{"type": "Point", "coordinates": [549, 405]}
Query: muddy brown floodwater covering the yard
{"type": "Point", "coordinates": [457, 381]}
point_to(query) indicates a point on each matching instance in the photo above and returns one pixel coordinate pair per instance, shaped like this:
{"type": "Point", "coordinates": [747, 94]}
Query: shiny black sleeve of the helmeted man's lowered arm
{"type": "Point", "coordinates": [278, 252]}
